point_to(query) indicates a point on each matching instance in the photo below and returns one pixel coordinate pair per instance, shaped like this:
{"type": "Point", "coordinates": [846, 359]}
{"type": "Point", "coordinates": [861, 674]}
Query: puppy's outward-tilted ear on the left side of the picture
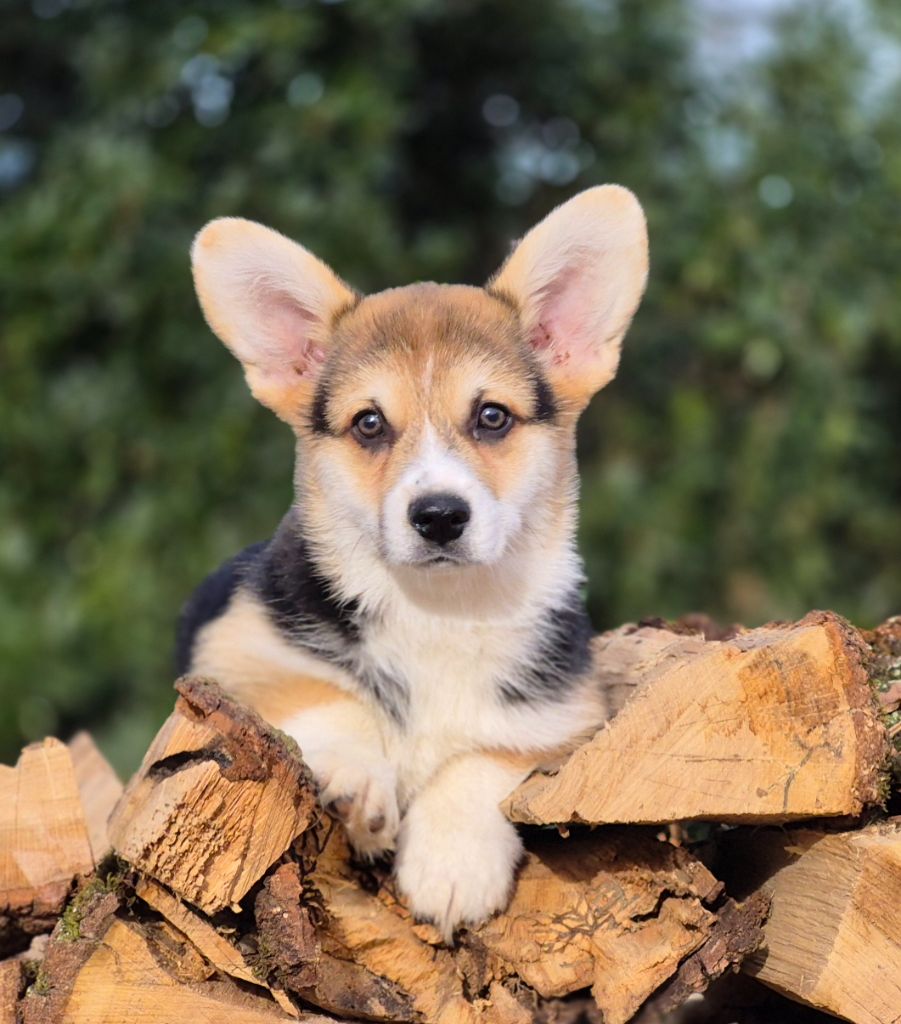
{"type": "Point", "coordinates": [273, 304]}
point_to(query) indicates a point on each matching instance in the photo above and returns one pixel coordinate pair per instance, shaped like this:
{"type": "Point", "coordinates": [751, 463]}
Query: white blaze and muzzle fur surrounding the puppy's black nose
{"type": "Point", "coordinates": [437, 471]}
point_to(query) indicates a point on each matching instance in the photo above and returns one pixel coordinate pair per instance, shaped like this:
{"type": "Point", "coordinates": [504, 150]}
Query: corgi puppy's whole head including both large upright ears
{"type": "Point", "coordinates": [435, 422]}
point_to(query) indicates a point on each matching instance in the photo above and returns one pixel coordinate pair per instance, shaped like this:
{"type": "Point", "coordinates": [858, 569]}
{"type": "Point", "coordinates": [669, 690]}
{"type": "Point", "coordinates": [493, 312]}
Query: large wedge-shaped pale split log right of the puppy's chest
{"type": "Point", "coordinates": [775, 724]}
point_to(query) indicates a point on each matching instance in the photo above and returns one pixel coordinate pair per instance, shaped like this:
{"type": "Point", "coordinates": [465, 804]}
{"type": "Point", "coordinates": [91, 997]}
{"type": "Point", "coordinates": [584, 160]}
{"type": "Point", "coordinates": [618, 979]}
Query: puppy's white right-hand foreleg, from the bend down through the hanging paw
{"type": "Point", "coordinates": [457, 852]}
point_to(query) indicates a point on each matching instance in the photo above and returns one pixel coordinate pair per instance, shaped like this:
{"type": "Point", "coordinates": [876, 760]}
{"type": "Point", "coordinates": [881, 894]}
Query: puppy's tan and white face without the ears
{"type": "Point", "coordinates": [433, 426]}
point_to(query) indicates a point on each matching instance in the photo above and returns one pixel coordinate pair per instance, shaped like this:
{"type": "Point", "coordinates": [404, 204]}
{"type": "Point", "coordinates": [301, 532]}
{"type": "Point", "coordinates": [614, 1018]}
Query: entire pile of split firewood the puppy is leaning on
{"type": "Point", "coordinates": [734, 816]}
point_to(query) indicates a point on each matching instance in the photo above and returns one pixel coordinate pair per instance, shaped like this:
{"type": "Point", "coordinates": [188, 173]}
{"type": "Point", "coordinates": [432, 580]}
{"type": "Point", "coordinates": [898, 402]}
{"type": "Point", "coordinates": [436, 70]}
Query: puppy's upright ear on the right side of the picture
{"type": "Point", "coordinates": [578, 279]}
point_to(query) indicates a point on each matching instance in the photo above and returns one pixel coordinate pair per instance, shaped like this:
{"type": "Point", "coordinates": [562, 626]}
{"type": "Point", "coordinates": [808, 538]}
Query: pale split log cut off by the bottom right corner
{"type": "Point", "coordinates": [834, 936]}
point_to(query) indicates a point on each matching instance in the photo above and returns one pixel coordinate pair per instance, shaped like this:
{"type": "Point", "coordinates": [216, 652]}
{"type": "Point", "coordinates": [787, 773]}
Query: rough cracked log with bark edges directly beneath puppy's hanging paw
{"type": "Point", "coordinates": [615, 912]}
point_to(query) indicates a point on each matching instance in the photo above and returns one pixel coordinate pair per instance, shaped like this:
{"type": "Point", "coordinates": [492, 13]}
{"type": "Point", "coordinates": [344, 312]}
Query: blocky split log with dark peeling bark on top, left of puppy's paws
{"type": "Point", "coordinates": [218, 800]}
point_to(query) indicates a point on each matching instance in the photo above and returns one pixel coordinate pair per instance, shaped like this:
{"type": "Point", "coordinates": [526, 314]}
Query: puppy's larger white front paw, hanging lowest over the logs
{"type": "Point", "coordinates": [456, 873]}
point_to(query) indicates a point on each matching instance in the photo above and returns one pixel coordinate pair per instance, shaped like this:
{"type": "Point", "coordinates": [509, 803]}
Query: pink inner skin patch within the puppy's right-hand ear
{"type": "Point", "coordinates": [565, 320]}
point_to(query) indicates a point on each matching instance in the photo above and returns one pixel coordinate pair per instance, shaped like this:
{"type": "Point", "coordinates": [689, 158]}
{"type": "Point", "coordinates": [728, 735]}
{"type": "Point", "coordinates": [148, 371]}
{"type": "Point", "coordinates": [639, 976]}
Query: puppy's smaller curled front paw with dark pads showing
{"type": "Point", "coordinates": [364, 796]}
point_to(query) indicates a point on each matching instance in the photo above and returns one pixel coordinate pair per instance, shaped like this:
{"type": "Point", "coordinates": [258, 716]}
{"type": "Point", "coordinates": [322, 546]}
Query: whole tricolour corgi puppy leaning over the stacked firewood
{"type": "Point", "coordinates": [416, 622]}
